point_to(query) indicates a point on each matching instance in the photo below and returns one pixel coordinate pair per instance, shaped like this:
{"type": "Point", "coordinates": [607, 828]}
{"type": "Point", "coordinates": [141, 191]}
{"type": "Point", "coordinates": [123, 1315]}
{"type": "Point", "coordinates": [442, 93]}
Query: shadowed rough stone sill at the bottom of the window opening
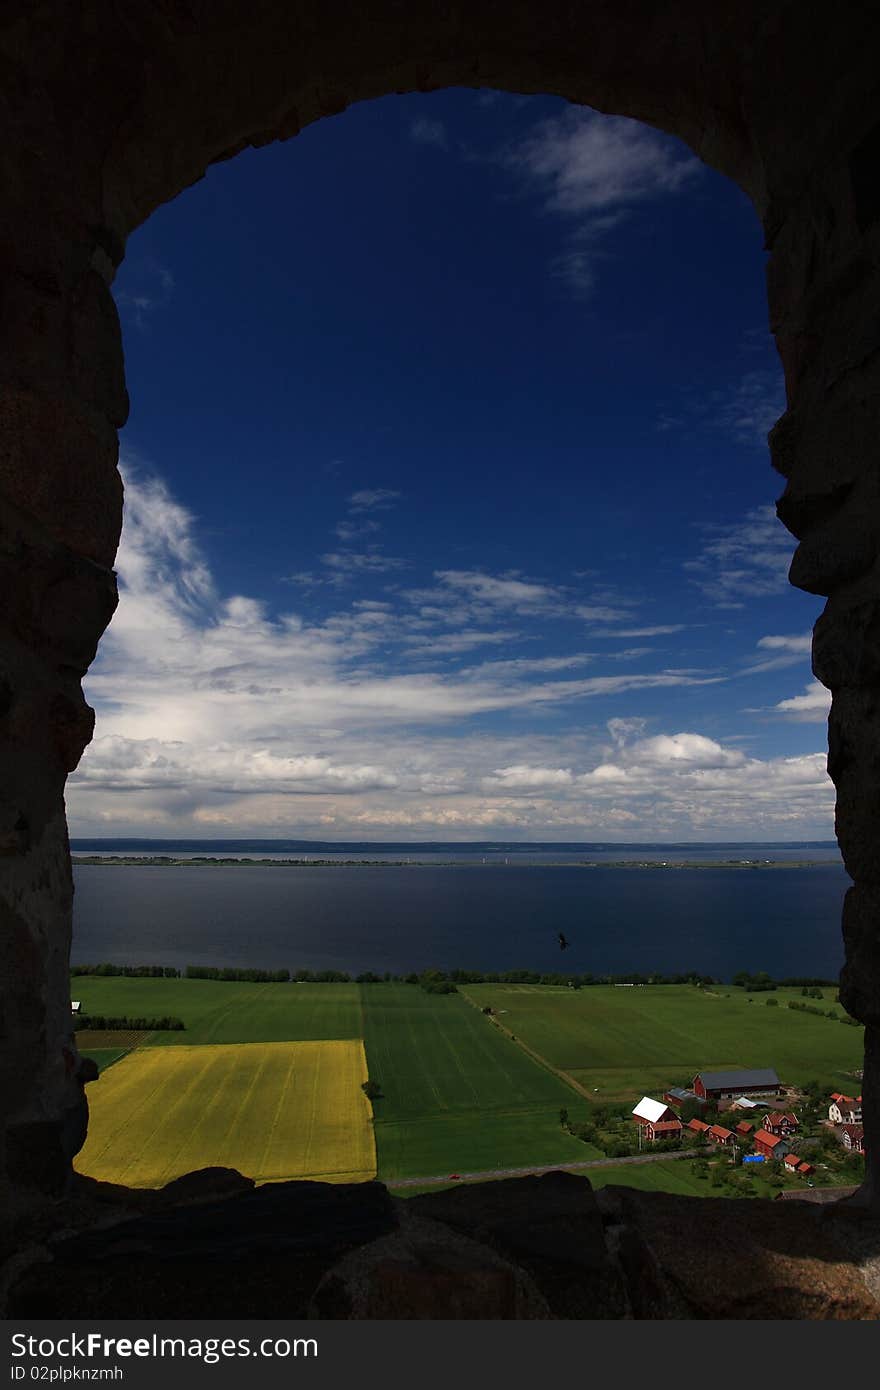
{"type": "Point", "coordinates": [525, 1249]}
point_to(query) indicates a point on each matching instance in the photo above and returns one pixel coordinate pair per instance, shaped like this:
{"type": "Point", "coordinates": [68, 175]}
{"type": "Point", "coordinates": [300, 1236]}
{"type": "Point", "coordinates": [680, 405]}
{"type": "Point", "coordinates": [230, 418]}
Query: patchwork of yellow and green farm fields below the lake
{"type": "Point", "coordinates": [459, 1090]}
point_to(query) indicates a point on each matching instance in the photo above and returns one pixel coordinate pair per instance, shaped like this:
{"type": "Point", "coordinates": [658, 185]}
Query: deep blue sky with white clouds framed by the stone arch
{"type": "Point", "coordinates": [450, 509]}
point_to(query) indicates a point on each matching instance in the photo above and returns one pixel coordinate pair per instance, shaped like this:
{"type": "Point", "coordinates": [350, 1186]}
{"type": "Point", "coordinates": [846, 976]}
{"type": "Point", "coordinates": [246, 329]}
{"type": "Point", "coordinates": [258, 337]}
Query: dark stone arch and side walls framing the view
{"type": "Point", "coordinates": [111, 116]}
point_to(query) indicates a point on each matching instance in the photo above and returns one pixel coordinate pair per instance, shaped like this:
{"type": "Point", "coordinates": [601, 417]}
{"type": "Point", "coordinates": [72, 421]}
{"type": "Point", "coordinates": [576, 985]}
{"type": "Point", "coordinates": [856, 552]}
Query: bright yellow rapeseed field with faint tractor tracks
{"type": "Point", "coordinates": [272, 1110]}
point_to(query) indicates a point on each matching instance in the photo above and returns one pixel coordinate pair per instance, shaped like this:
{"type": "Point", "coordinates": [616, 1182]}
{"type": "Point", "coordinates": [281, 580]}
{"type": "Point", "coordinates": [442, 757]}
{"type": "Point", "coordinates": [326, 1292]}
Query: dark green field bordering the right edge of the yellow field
{"type": "Point", "coordinates": [457, 1093]}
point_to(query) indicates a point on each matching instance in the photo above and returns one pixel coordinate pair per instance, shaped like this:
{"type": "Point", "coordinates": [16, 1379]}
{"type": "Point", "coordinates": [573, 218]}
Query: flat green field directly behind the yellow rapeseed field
{"type": "Point", "coordinates": [229, 1013]}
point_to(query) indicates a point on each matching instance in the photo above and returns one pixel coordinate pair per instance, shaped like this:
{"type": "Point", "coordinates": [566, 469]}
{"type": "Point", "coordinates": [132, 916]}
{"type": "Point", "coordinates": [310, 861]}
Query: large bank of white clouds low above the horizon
{"type": "Point", "coordinates": [215, 712]}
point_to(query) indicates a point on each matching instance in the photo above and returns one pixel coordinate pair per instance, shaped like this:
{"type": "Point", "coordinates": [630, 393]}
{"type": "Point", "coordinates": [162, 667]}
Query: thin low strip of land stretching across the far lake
{"type": "Point", "coordinates": [222, 861]}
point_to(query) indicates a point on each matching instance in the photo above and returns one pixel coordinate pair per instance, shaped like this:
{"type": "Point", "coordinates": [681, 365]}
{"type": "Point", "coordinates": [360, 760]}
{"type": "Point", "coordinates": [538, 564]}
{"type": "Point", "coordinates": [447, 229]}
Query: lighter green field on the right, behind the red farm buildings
{"type": "Point", "coordinates": [628, 1043]}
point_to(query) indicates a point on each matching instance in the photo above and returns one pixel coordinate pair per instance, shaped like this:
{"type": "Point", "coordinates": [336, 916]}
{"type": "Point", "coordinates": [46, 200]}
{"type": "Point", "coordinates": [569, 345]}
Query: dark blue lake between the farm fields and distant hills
{"type": "Point", "coordinates": [466, 913]}
